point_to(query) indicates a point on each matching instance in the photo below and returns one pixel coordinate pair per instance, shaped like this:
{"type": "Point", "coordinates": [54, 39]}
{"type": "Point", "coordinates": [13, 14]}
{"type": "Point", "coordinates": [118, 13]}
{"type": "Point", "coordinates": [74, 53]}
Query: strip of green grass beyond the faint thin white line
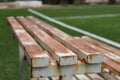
{"type": "Point", "coordinates": [80, 10]}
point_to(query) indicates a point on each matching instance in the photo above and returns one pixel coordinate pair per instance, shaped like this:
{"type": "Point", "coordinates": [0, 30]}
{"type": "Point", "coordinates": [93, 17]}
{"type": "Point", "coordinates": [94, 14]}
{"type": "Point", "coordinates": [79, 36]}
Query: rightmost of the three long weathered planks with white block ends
{"type": "Point", "coordinates": [84, 52]}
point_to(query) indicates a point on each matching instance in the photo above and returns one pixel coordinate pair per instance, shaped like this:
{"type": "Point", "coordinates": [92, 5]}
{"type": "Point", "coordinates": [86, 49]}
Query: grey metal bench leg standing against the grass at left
{"type": "Point", "coordinates": [21, 62]}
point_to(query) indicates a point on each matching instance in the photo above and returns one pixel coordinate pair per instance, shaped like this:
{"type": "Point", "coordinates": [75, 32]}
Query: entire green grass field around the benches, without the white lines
{"type": "Point", "coordinates": [108, 27]}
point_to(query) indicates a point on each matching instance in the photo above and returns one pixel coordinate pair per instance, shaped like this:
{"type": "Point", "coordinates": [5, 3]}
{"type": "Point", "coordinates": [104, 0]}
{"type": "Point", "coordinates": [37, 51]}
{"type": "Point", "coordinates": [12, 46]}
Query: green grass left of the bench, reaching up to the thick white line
{"type": "Point", "coordinates": [9, 57]}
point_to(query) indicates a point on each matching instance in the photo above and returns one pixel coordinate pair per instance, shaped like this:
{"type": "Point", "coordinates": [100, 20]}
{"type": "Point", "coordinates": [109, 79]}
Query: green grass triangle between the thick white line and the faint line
{"type": "Point", "coordinates": [105, 27]}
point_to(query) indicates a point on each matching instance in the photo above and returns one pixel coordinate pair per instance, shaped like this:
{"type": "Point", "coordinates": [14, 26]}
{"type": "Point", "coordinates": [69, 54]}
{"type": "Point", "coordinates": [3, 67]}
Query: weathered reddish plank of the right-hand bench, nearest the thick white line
{"type": "Point", "coordinates": [102, 45]}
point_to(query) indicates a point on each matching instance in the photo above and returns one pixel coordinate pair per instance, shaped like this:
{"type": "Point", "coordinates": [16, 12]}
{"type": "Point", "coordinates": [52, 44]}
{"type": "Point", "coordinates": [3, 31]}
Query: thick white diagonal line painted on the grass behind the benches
{"type": "Point", "coordinates": [75, 29]}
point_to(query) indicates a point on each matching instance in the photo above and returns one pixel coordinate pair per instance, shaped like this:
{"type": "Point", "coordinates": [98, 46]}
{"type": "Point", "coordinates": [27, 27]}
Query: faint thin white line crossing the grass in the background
{"type": "Point", "coordinates": [87, 16]}
